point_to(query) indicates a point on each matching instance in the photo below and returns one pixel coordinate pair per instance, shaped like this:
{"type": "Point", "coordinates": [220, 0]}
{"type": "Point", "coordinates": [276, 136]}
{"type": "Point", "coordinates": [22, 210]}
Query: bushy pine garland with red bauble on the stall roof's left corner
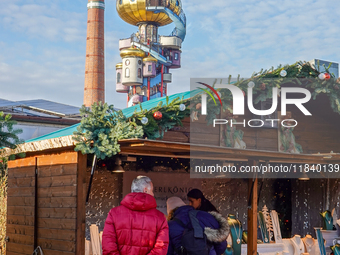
{"type": "Point", "coordinates": [102, 127]}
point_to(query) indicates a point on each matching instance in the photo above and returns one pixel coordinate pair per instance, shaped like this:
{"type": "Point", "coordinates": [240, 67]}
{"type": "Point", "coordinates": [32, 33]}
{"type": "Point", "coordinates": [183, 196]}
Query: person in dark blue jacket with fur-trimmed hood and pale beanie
{"type": "Point", "coordinates": [216, 228]}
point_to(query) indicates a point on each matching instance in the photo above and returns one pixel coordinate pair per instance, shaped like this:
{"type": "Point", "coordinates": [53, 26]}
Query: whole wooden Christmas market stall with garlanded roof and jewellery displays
{"type": "Point", "coordinates": [70, 179]}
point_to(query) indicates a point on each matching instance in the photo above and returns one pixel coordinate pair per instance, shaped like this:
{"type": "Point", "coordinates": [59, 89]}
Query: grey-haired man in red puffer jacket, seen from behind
{"type": "Point", "coordinates": [136, 226]}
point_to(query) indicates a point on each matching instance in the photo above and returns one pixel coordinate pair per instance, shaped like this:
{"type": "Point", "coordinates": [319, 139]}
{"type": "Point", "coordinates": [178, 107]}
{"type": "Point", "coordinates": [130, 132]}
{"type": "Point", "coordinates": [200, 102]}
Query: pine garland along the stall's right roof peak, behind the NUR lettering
{"type": "Point", "coordinates": [301, 74]}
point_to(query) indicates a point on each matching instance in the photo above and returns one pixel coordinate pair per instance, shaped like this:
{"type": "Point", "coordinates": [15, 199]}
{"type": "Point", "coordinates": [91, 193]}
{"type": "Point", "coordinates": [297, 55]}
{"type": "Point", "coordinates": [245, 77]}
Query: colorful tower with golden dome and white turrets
{"type": "Point", "coordinates": [147, 57]}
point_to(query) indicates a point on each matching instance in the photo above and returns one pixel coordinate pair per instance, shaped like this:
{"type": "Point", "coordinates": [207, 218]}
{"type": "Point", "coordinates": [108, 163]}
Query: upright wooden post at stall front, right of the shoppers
{"type": "Point", "coordinates": [252, 215]}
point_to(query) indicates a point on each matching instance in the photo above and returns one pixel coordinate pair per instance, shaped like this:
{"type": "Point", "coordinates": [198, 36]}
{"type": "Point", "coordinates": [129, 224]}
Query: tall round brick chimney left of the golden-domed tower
{"type": "Point", "coordinates": [94, 89]}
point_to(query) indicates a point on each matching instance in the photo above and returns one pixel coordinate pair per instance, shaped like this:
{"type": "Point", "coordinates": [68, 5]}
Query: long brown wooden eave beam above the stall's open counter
{"type": "Point", "coordinates": [144, 147]}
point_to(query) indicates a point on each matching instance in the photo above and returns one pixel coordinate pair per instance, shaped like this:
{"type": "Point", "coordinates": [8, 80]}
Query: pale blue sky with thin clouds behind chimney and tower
{"type": "Point", "coordinates": [43, 43]}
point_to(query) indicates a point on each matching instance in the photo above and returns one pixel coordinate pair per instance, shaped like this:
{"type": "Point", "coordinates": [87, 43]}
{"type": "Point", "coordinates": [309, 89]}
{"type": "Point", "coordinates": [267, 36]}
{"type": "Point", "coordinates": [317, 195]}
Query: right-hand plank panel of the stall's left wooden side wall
{"type": "Point", "coordinates": [57, 202]}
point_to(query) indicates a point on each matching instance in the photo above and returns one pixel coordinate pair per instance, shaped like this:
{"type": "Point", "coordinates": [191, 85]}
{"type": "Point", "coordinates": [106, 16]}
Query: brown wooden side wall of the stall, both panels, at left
{"type": "Point", "coordinates": [57, 204]}
